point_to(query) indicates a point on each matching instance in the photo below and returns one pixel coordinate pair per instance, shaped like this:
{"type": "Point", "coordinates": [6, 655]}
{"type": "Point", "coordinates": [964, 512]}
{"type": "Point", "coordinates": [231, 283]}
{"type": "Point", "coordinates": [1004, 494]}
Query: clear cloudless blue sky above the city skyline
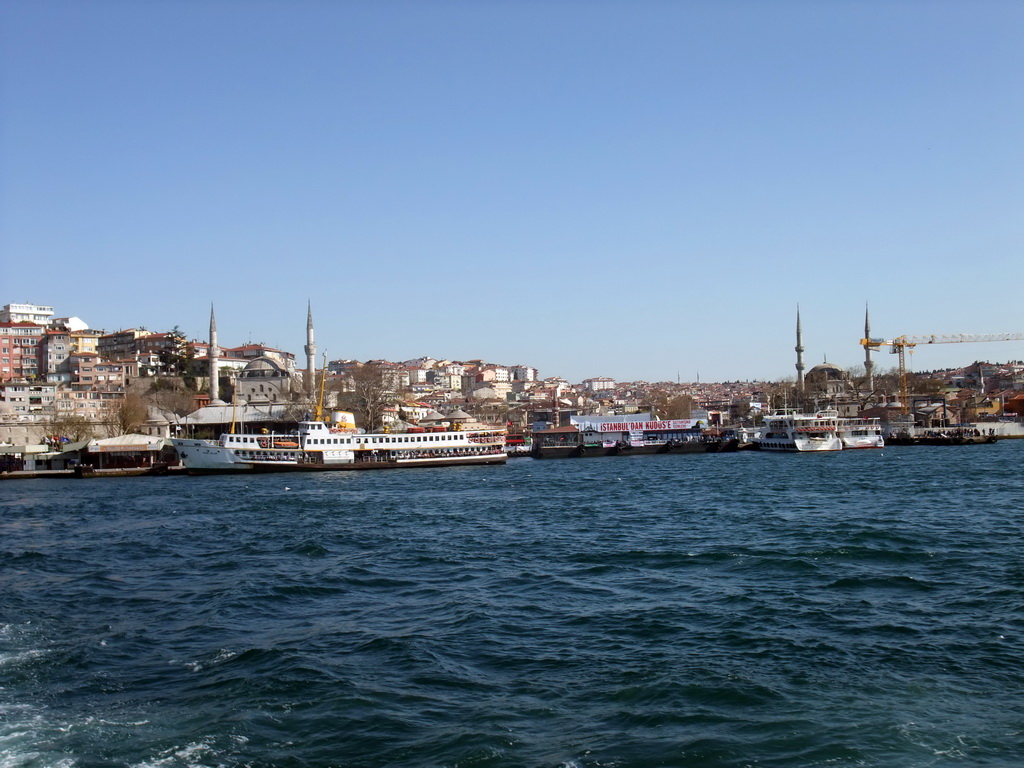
{"type": "Point", "coordinates": [635, 190]}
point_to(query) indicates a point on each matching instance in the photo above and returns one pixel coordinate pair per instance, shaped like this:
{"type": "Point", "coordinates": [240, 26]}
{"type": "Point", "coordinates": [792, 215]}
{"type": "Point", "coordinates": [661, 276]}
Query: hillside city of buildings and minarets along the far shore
{"type": "Point", "coordinates": [58, 373]}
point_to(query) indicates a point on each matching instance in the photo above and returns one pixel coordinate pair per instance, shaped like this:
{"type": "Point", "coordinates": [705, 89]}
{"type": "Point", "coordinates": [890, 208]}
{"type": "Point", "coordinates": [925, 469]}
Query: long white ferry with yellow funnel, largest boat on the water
{"type": "Point", "coordinates": [319, 447]}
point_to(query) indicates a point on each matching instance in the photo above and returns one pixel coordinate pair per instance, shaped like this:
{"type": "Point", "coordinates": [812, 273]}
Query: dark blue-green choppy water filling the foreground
{"type": "Point", "coordinates": [864, 609]}
